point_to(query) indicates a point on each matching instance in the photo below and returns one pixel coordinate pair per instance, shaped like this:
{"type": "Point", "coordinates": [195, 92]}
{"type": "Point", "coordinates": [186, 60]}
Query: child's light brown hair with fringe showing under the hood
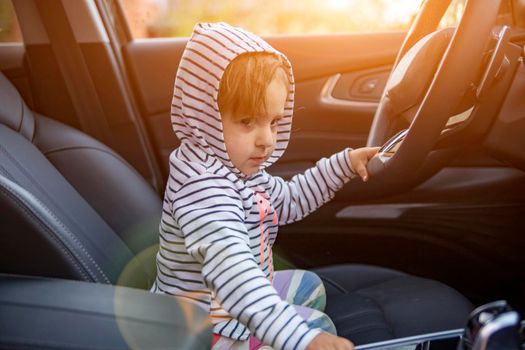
{"type": "Point", "coordinates": [243, 86]}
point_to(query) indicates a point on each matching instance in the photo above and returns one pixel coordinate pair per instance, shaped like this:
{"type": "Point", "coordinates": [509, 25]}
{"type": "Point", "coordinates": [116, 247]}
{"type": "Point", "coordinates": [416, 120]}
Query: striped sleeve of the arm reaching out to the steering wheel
{"type": "Point", "coordinates": [306, 192]}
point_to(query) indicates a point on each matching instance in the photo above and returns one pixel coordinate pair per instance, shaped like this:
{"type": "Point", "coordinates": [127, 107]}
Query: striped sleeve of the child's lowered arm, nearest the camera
{"type": "Point", "coordinates": [210, 213]}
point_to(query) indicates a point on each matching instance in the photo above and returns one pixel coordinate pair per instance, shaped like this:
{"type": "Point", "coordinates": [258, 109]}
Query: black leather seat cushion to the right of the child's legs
{"type": "Point", "coordinates": [369, 303]}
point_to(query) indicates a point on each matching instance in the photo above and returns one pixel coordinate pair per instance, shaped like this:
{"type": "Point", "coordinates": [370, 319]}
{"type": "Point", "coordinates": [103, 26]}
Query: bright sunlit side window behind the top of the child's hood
{"type": "Point", "coordinates": [176, 18]}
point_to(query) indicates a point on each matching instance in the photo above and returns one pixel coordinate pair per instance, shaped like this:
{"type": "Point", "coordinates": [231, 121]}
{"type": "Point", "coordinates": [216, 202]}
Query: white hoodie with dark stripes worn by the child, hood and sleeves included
{"type": "Point", "coordinates": [218, 225]}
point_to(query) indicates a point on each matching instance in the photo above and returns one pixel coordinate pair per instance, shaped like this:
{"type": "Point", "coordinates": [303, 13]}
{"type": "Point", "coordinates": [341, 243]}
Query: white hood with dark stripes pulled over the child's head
{"type": "Point", "coordinates": [195, 112]}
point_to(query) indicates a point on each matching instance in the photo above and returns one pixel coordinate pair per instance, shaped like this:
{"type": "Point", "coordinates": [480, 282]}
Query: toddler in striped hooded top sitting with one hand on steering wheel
{"type": "Point", "coordinates": [232, 111]}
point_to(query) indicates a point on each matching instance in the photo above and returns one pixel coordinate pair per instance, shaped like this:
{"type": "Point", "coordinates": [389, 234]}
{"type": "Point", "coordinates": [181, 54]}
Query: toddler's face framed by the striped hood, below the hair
{"type": "Point", "coordinates": [250, 141]}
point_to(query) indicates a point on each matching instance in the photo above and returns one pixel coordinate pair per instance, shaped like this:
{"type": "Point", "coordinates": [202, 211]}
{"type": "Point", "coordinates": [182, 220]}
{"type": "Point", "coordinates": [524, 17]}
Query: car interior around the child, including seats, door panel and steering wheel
{"type": "Point", "coordinates": [437, 231]}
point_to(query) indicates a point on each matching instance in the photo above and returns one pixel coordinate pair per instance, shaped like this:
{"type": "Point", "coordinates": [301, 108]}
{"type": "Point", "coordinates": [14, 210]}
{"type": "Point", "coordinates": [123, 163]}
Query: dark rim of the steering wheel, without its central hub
{"type": "Point", "coordinates": [451, 82]}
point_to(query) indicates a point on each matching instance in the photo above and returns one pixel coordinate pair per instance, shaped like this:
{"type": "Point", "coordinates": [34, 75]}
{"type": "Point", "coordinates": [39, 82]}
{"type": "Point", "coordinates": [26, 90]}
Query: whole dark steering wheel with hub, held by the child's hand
{"type": "Point", "coordinates": [433, 73]}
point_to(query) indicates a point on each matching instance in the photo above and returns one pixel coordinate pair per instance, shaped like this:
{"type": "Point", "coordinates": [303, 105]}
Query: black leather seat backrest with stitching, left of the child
{"type": "Point", "coordinates": [71, 207]}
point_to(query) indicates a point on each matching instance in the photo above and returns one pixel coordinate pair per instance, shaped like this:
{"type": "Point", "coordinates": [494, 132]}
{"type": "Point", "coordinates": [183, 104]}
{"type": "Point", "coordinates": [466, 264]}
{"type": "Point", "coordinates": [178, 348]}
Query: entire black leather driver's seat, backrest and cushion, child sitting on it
{"type": "Point", "coordinates": [72, 208]}
